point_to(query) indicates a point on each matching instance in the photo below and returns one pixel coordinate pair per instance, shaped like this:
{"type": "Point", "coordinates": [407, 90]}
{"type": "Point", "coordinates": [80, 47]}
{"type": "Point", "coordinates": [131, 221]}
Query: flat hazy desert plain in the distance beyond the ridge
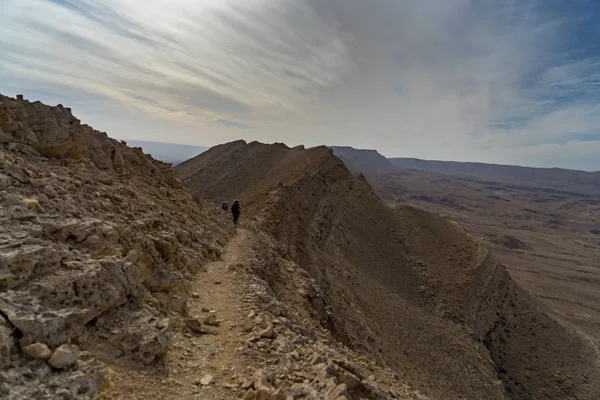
{"type": "Point", "coordinates": [542, 224]}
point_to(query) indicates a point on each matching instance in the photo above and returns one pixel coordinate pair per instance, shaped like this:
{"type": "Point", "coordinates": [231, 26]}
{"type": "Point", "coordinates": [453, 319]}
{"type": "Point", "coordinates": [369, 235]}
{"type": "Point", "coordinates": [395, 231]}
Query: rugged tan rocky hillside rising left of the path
{"type": "Point", "coordinates": [98, 243]}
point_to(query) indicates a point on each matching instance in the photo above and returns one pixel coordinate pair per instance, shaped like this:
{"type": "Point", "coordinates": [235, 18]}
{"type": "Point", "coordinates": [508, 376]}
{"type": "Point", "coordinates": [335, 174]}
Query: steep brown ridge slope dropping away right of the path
{"type": "Point", "coordinates": [412, 290]}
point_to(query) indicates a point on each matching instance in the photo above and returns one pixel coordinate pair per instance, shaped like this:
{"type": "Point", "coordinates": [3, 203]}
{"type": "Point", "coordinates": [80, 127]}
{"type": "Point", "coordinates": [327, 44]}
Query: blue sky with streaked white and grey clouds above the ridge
{"type": "Point", "coordinates": [502, 81]}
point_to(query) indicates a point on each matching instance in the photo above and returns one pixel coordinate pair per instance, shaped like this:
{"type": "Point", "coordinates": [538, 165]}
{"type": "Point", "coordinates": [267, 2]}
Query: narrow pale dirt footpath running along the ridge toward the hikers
{"type": "Point", "coordinates": [219, 290]}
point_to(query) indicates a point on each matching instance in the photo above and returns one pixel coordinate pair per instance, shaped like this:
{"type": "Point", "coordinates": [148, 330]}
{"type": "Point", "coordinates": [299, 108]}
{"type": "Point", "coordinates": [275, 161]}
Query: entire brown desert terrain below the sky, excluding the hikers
{"type": "Point", "coordinates": [121, 277]}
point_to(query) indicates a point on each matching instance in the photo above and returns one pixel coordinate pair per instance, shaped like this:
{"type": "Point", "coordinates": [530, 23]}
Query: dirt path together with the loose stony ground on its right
{"type": "Point", "coordinates": [232, 345]}
